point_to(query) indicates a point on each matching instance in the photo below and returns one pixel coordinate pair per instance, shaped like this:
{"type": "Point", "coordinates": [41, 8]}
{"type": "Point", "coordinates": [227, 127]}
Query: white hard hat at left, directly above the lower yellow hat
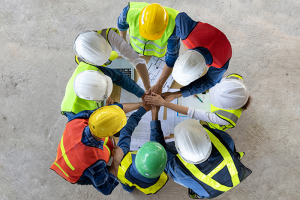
{"type": "Point", "coordinates": [92, 85]}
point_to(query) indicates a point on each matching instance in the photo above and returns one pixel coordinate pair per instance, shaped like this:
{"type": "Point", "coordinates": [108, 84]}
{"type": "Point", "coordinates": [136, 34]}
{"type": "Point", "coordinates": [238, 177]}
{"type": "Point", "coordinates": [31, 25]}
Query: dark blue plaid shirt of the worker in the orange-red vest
{"type": "Point", "coordinates": [97, 174]}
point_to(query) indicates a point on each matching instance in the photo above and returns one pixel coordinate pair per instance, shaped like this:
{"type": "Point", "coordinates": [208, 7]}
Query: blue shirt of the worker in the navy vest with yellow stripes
{"type": "Point", "coordinates": [173, 168]}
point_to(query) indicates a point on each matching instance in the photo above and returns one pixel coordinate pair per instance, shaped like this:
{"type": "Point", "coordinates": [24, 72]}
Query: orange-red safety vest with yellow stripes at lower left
{"type": "Point", "coordinates": [73, 157]}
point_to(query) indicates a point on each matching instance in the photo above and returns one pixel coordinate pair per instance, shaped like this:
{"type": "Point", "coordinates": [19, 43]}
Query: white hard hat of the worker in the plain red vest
{"type": "Point", "coordinates": [188, 67]}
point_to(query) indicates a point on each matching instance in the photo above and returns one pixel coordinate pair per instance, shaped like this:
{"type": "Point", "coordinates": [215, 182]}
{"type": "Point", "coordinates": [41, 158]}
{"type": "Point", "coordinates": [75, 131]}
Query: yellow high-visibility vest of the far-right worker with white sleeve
{"type": "Point", "coordinates": [230, 116]}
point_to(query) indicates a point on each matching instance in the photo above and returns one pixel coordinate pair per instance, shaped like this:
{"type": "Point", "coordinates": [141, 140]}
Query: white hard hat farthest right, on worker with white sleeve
{"type": "Point", "coordinates": [229, 94]}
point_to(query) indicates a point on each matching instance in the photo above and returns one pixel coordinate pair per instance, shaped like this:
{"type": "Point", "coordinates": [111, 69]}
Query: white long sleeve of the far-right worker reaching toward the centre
{"type": "Point", "coordinates": [205, 116]}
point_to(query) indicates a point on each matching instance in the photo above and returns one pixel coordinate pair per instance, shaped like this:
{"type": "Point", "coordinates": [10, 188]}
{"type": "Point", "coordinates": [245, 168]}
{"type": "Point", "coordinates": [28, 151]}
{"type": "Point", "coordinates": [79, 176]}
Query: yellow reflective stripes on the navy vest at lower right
{"type": "Point", "coordinates": [228, 162]}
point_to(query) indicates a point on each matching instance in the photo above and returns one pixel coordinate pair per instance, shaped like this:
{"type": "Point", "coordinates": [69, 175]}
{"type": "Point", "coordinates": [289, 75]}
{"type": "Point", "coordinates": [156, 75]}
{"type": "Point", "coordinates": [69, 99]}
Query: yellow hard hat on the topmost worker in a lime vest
{"type": "Point", "coordinates": [153, 21]}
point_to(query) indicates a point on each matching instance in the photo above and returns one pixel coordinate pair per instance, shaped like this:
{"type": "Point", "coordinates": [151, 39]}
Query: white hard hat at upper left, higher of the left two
{"type": "Point", "coordinates": [92, 47]}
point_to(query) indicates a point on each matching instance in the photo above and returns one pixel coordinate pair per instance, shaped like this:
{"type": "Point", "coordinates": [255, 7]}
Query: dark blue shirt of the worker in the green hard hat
{"type": "Point", "coordinates": [124, 144]}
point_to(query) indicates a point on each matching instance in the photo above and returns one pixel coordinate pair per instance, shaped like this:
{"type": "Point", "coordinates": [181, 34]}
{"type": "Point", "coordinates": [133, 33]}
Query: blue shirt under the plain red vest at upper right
{"type": "Point", "coordinates": [185, 26]}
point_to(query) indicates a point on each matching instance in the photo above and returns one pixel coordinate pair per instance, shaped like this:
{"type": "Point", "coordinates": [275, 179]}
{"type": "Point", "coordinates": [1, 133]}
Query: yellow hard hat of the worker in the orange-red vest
{"type": "Point", "coordinates": [107, 120]}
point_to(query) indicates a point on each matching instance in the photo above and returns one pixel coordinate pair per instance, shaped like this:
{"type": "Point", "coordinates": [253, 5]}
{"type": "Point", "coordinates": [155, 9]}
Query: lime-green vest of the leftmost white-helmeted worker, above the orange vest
{"type": "Point", "coordinates": [72, 103]}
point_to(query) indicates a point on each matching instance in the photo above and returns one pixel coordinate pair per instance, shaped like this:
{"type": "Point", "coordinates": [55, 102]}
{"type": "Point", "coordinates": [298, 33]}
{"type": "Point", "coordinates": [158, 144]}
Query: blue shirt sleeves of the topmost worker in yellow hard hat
{"type": "Point", "coordinates": [173, 41]}
